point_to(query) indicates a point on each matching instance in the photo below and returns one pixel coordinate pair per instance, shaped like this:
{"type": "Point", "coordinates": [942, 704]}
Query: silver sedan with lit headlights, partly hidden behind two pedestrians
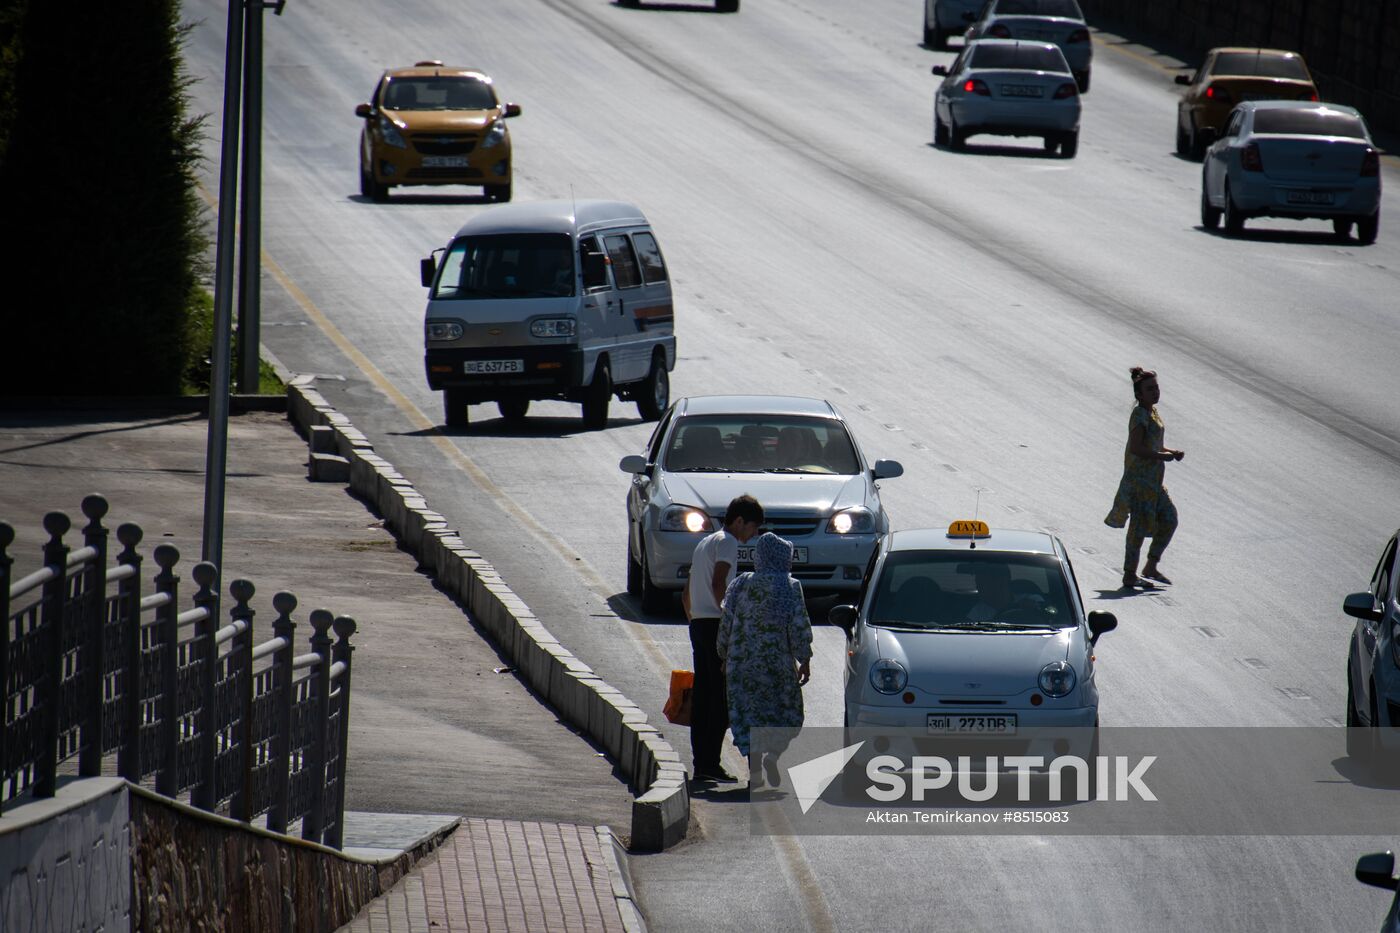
{"type": "Point", "coordinates": [796, 456]}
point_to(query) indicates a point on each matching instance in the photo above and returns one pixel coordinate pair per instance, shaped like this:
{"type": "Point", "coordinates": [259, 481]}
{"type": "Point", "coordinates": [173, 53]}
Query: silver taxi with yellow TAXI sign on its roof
{"type": "Point", "coordinates": [971, 633]}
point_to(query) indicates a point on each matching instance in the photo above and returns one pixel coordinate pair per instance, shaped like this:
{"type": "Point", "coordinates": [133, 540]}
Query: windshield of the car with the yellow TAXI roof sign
{"type": "Point", "coordinates": [972, 590]}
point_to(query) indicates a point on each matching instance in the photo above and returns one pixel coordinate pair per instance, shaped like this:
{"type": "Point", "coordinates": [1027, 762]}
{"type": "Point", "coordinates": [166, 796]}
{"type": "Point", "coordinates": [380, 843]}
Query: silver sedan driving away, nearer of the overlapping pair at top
{"type": "Point", "coordinates": [1009, 88]}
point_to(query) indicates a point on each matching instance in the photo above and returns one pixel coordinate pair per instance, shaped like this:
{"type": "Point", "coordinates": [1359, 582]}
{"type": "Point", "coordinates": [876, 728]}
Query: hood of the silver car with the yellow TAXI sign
{"type": "Point", "coordinates": [969, 665]}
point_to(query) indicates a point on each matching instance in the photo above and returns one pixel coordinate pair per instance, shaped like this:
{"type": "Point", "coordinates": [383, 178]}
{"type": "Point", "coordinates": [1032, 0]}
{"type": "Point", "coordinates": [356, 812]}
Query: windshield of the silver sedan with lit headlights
{"type": "Point", "coordinates": [761, 445]}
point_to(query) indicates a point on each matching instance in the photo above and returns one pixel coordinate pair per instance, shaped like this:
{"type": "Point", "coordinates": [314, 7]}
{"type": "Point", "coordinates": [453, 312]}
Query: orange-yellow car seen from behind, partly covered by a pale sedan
{"type": "Point", "coordinates": [1227, 78]}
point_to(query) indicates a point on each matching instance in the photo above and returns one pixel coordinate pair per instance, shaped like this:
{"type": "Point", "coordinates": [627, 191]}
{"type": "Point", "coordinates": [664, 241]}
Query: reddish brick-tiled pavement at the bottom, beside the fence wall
{"type": "Point", "coordinates": [506, 876]}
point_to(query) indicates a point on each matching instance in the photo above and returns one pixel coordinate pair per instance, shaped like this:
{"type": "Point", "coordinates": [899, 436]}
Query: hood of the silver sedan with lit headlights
{"type": "Point", "coordinates": [778, 492]}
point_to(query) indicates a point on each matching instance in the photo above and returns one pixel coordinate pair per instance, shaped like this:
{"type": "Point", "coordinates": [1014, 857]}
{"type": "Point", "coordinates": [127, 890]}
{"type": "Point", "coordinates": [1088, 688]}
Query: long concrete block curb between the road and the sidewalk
{"type": "Point", "coordinates": [661, 803]}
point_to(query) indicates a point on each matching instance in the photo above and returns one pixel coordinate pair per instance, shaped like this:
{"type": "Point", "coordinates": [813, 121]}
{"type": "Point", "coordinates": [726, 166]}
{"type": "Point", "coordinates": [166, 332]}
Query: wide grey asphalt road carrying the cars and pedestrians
{"type": "Point", "coordinates": [972, 315]}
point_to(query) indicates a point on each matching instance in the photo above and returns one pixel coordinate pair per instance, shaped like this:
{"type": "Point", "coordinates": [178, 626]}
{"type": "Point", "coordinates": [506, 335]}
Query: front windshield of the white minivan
{"type": "Point", "coordinates": [507, 267]}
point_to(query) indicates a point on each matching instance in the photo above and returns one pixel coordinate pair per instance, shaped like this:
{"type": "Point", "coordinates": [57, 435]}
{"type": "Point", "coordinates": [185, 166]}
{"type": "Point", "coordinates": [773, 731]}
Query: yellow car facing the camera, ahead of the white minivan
{"type": "Point", "coordinates": [435, 125]}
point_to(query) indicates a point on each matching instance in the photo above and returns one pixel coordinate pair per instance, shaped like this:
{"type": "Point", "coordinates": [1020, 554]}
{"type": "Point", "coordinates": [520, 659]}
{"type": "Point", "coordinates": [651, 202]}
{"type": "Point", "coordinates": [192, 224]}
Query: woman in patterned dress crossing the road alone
{"type": "Point", "coordinates": [1142, 494]}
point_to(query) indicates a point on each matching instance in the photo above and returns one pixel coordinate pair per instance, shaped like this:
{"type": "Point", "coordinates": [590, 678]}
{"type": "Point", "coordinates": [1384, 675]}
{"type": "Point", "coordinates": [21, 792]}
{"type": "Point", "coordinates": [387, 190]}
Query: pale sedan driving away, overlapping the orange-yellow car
{"type": "Point", "coordinates": [1294, 159]}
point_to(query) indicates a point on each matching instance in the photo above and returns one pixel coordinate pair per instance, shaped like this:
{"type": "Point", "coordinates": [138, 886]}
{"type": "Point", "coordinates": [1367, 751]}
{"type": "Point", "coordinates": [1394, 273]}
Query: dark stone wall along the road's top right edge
{"type": "Point", "coordinates": [1347, 44]}
